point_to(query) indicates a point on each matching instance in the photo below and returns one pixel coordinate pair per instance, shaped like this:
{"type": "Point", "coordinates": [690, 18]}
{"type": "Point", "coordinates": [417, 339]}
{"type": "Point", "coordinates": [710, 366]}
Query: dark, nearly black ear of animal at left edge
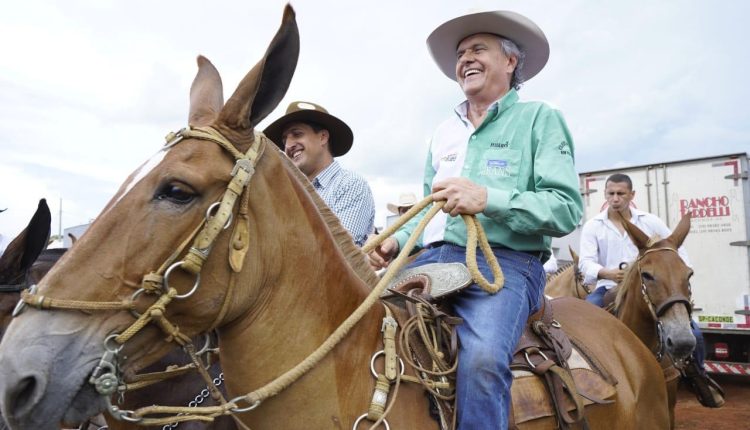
{"type": "Point", "coordinates": [27, 246]}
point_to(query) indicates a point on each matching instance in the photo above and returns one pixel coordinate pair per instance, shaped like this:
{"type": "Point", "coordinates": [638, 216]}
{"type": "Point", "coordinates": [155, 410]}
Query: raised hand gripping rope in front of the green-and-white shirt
{"type": "Point", "coordinates": [461, 196]}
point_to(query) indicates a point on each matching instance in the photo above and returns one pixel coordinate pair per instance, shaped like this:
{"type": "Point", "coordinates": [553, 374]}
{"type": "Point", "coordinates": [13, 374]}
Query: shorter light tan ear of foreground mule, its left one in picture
{"type": "Point", "coordinates": [206, 94]}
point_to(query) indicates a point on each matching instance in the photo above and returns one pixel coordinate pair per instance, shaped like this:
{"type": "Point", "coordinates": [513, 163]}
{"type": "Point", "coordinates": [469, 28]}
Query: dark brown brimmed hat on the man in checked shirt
{"type": "Point", "coordinates": [341, 136]}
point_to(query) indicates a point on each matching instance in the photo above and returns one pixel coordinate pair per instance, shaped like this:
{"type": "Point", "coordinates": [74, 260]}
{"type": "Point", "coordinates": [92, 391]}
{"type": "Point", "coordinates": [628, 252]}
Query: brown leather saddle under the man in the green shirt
{"type": "Point", "coordinates": [554, 375]}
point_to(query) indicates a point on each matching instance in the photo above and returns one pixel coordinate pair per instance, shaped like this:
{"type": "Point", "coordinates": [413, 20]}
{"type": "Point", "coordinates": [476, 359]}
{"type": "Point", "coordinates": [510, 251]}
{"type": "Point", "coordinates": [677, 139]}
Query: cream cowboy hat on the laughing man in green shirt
{"type": "Point", "coordinates": [443, 42]}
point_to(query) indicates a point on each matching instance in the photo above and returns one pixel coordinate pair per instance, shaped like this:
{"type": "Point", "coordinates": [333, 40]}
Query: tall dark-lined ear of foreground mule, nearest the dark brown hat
{"type": "Point", "coordinates": [265, 85]}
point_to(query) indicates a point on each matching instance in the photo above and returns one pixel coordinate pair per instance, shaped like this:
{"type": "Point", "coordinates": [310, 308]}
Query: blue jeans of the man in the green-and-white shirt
{"type": "Point", "coordinates": [492, 325]}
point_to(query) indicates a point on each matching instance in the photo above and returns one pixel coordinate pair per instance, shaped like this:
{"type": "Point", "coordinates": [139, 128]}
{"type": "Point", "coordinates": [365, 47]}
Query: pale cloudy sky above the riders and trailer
{"type": "Point", "coordinates": [89, 88]}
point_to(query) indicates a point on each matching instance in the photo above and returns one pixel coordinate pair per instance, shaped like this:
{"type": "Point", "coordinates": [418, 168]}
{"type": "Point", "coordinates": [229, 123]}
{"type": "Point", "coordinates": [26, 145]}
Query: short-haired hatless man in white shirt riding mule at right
{"type": "Point", "coordinates": [605, 246]}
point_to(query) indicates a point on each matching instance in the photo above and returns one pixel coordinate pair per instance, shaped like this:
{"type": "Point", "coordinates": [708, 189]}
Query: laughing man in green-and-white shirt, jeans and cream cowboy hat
{"type": "Point", "coordinates": [511, 164]}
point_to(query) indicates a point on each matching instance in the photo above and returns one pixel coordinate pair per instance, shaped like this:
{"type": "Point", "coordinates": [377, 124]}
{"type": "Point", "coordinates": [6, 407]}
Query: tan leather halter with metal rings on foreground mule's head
{"type": "Point", "coordinates": [106, 377]}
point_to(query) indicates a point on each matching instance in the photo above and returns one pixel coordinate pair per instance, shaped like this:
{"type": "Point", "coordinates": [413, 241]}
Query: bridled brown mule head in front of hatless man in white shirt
{"type": "Point", "coordinates": [664, 281]}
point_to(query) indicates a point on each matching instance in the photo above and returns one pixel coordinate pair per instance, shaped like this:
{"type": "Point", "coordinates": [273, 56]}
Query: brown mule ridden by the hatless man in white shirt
{"type": "Point", "coordinates": [653, 300]}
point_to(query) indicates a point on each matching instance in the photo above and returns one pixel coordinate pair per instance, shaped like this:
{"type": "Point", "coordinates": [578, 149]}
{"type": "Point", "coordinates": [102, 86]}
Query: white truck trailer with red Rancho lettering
{"type": "Point", "coordinates": [715, 190]}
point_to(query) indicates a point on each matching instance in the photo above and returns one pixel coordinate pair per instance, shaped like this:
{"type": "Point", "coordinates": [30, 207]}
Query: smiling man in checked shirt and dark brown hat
{"type": "Point", "coordinates": [312, 137]}
